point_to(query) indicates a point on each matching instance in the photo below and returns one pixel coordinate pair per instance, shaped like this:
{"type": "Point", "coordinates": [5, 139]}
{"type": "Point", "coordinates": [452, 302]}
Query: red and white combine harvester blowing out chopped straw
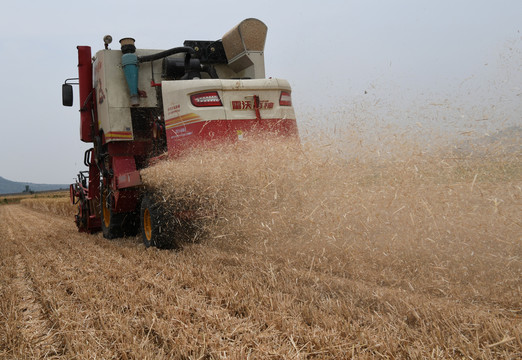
{"type": "Point", "coordinates": [139, 107]}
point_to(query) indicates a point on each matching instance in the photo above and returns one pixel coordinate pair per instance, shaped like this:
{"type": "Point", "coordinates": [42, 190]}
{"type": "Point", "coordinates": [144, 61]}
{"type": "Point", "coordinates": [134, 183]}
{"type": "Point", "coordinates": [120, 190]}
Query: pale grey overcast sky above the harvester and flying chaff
{"type": "Point", "coordinates": [405, 55]}
